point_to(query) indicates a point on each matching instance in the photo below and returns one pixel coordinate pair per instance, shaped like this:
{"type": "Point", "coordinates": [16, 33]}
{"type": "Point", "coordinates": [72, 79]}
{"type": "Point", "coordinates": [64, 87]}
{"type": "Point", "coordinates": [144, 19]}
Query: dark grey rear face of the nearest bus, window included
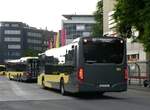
{"type": "Point", "coordinates": [104, 63]}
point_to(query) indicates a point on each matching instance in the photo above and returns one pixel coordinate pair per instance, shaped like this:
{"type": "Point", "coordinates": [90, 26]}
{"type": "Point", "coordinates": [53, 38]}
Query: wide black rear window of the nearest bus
{"type": "Point", "coordinates": [103, 51]}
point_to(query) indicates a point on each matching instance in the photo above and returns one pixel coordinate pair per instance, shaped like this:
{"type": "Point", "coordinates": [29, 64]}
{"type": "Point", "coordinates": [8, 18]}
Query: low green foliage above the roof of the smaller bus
{"type": "Point", "coordinates": [30, 52]}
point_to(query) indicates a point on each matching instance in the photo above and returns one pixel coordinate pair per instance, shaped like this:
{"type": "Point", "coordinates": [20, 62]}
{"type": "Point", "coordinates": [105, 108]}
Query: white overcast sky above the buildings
{"type": "Point", "coordinates": [43, 13]}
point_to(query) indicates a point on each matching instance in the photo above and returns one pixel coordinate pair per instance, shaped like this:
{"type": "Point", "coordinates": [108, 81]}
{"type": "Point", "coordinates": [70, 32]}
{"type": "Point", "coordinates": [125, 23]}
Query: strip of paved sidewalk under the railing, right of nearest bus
{"type": "Point", "coordinates": [139, 87]}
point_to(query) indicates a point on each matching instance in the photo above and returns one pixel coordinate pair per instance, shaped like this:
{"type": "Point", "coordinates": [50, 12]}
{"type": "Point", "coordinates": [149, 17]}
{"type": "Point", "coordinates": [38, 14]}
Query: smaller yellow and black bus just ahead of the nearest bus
{"type": "Point", "coordinates": [23, 69]}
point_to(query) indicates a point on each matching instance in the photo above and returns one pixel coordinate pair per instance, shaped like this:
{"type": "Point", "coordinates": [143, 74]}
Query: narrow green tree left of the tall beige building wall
{"type": "Point", "coordinates": [97, 29]}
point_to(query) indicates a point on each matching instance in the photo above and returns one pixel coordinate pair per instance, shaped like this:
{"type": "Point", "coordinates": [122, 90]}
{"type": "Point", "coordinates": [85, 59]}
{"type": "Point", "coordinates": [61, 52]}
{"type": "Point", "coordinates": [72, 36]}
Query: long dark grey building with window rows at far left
{"type": "Point", "coordinates": [16, 38]}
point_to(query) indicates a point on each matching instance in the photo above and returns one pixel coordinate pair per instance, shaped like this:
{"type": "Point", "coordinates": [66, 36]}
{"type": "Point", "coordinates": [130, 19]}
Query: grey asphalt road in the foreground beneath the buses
{"type": "Point", "coordinates": [29, 96]}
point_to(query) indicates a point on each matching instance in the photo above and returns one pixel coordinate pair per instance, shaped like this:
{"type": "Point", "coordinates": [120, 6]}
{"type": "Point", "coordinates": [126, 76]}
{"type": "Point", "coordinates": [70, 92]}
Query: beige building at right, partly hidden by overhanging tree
{"type": "Point", "coordinates": [138, 65]}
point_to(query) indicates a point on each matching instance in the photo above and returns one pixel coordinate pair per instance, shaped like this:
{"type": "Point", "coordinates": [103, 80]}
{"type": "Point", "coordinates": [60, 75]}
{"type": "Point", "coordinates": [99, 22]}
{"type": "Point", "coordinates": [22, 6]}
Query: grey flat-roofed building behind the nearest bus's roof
{"type": "Point", "coordinates": [77, 26]}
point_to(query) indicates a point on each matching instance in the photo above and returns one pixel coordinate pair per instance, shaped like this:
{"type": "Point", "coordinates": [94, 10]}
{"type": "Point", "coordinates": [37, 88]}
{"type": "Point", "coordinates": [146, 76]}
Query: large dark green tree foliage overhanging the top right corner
{"type": "Point", "coordinates": [134, 13]}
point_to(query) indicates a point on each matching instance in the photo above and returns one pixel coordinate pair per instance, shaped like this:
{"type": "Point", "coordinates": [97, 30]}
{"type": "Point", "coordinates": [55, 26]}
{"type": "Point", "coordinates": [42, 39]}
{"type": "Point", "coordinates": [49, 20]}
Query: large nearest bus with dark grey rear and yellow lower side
{"type": "Point", "coordinates": [86, 65]}
